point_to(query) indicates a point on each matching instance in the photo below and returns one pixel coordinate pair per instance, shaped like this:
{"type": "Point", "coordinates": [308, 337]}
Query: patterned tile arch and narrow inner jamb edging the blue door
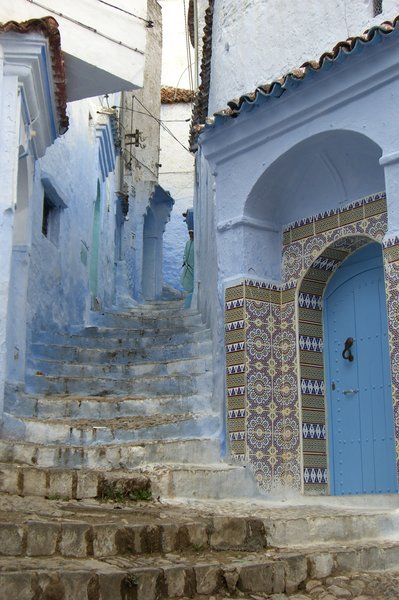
{"type": "Point", "coordinates": [322, 253]}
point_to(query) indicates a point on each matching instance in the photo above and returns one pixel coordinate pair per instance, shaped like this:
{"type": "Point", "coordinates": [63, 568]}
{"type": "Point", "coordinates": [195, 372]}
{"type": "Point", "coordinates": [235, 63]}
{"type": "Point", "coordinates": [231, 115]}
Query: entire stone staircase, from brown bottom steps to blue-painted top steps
{"type": "Point", "coordinates": [122, 410]}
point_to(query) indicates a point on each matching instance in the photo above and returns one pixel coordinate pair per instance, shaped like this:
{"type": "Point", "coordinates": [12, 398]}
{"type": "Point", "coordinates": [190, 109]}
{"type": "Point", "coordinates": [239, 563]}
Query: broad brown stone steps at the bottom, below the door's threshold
{"type": "Point", "coordinates": [88, 550]}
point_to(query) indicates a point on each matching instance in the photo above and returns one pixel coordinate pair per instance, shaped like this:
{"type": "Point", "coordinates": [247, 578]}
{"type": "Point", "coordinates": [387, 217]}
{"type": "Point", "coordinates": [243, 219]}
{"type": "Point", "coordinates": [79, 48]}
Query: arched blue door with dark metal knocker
{"type": "Point", "coordinates": [358, 380]}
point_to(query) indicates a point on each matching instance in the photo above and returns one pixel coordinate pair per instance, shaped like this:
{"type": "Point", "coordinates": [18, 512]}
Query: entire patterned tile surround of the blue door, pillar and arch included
{"type": "Point", "coordinates": [274, 348]}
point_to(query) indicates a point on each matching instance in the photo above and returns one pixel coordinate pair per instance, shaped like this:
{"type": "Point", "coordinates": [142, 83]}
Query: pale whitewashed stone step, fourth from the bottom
{"type": "Point", "coordinates": [126, 456]}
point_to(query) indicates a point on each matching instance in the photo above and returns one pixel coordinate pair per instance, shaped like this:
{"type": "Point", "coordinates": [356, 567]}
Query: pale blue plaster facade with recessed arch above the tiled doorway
{"type": "Point", "coordinates": [325, 142]}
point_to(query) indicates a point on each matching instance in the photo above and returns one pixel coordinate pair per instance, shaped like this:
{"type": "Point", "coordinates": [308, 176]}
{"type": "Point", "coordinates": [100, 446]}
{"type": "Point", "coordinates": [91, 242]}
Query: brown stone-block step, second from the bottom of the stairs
{"type": "Point", "coordinates": [101, 534]}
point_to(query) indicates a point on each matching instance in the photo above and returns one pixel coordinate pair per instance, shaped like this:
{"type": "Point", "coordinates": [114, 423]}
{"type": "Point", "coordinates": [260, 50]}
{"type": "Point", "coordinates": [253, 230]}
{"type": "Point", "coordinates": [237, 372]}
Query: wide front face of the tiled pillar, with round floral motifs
{"type": "Point", "coordinates": [273, 435]}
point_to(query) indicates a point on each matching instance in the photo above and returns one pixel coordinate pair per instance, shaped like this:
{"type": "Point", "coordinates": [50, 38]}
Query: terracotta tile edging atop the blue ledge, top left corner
{"type": "Point", "coordinates": [48, 26]}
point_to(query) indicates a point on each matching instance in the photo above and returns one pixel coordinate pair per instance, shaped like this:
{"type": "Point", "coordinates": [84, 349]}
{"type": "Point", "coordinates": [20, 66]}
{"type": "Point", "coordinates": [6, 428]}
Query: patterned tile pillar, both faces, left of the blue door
{"type": "Point", "coordinates": [263, 411]}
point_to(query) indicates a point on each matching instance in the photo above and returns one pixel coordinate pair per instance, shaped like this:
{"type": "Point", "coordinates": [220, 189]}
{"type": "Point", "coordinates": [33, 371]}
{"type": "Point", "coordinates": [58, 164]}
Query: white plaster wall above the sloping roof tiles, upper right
{"type": "Point", "coordinates": [258, 41]}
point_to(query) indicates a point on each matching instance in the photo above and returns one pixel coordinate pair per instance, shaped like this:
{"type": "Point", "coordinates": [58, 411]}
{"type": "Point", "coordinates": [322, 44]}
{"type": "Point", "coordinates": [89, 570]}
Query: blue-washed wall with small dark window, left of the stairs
{"type": "Point", "coordinates": [49, 288]}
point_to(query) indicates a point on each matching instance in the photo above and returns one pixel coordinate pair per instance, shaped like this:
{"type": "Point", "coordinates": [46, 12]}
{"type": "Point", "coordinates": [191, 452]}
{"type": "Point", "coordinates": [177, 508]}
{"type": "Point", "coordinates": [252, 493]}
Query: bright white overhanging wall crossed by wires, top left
{"type": "Point", "coordinates": [89, 30]}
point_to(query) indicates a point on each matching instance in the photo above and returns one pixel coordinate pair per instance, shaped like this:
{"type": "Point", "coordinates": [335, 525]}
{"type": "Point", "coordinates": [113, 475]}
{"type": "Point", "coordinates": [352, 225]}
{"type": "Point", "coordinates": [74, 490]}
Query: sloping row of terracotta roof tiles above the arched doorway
{"type": "Point", "coordinates": [277, 87]}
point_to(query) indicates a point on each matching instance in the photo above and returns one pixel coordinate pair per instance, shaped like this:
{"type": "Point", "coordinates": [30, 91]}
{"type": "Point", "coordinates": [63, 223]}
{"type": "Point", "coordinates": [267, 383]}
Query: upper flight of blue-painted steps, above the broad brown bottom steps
{"type": "Point", "coordinates": [128, 398]}
